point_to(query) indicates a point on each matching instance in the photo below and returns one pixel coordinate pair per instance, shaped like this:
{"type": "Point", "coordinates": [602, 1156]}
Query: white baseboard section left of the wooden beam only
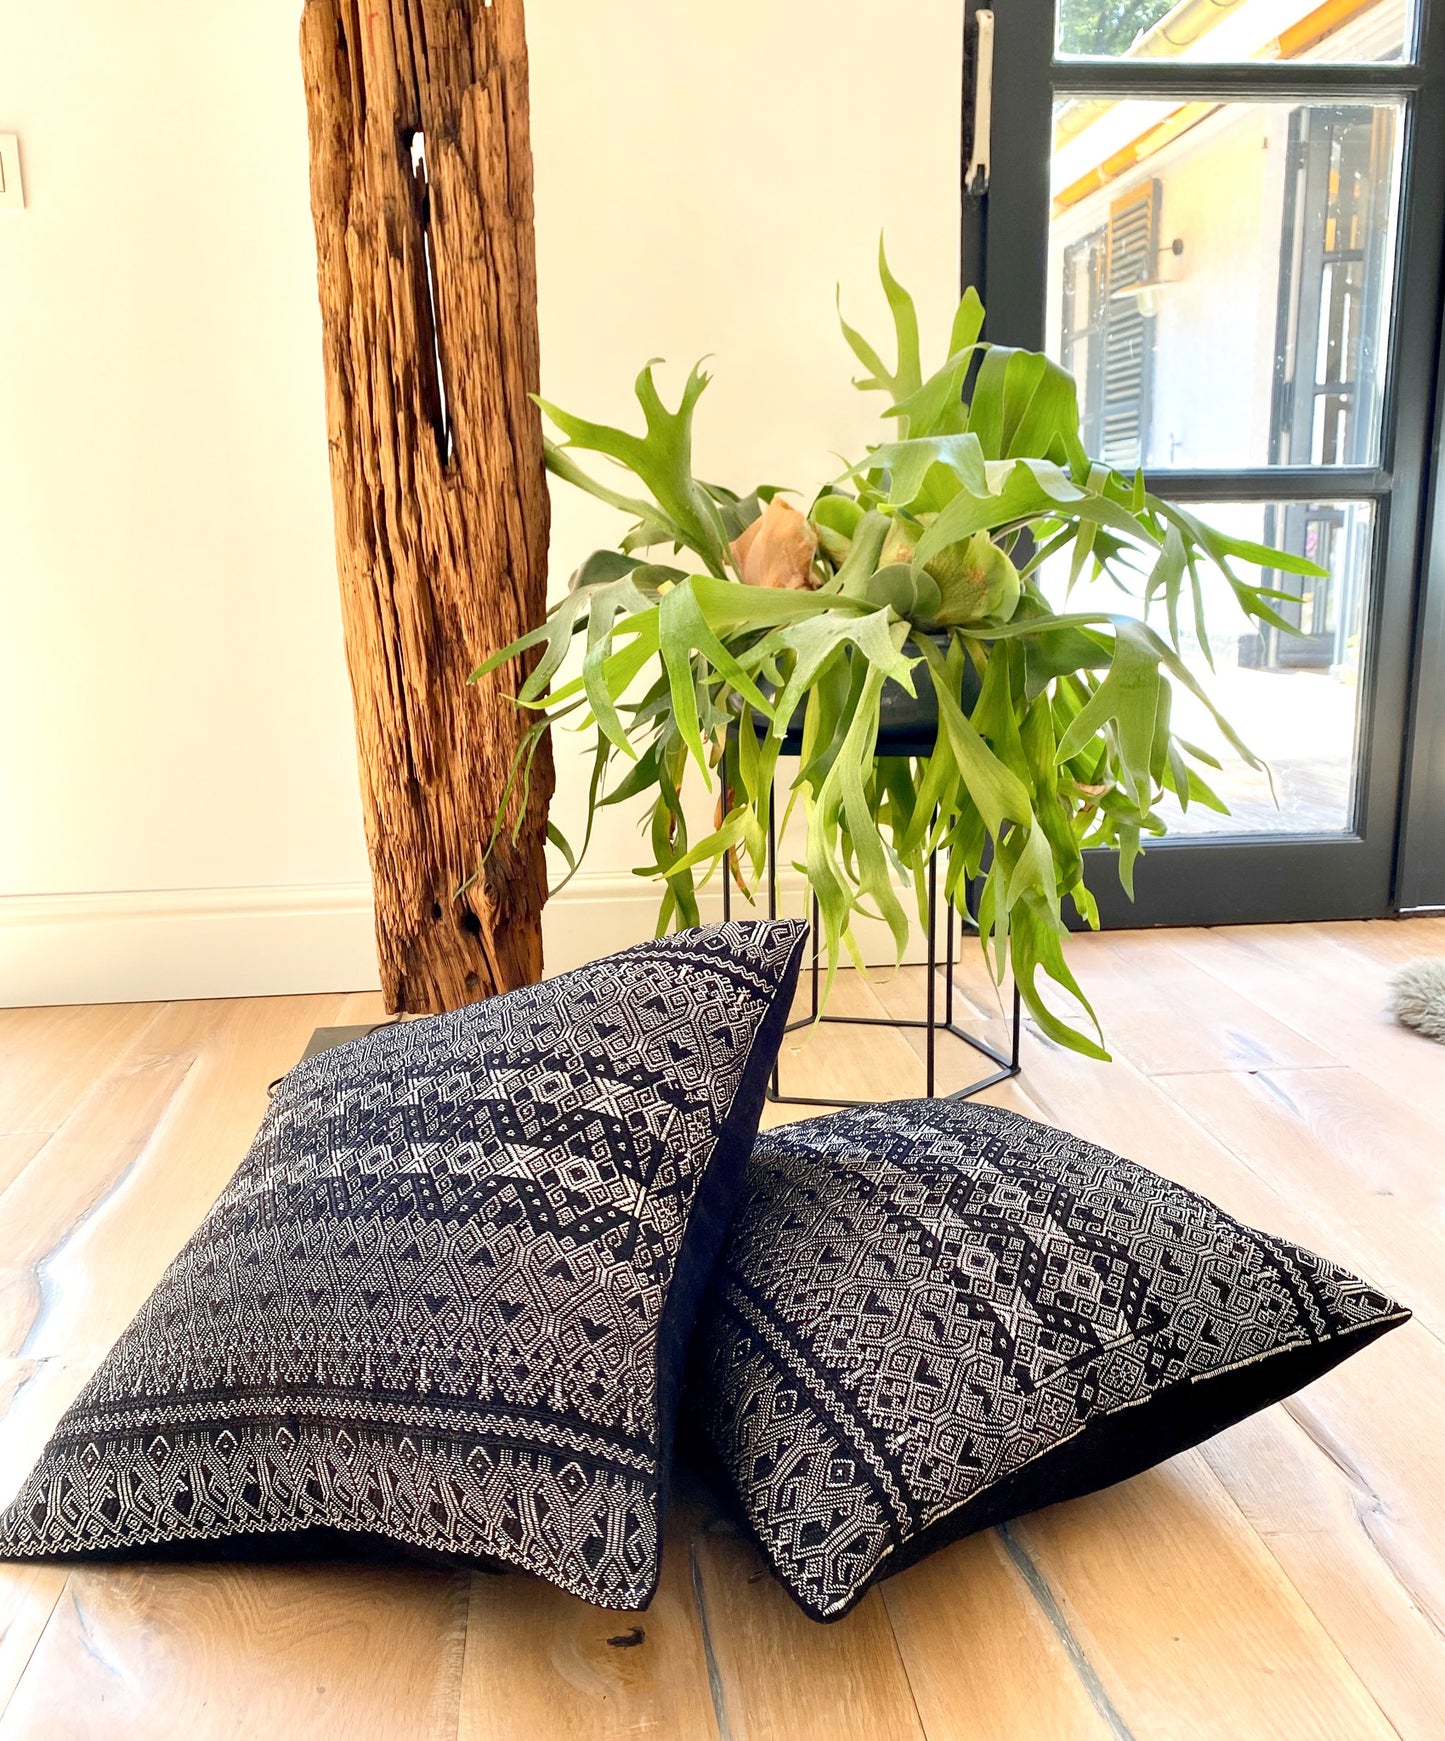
{"type": "Point", "coordinates": [147, 946]}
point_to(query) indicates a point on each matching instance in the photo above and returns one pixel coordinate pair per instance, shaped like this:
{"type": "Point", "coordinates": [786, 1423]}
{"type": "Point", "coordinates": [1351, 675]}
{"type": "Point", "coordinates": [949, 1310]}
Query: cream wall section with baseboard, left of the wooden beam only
{"type": "Point", "coordinates": [178, 797]}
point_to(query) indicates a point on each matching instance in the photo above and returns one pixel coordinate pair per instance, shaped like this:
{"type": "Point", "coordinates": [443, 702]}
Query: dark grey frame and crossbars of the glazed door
{"type": "Point", "coordinates": [1005, 255]}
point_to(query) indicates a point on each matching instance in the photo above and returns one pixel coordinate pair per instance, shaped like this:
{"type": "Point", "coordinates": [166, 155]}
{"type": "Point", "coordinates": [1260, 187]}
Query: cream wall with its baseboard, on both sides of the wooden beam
{"type": "Point", "coordinates": [178, 800]}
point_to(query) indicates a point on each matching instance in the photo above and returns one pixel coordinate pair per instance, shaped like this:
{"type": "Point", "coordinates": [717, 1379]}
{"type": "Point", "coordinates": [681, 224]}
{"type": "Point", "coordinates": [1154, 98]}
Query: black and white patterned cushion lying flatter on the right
{"type": "Point", "coordinates": [934, 1317]}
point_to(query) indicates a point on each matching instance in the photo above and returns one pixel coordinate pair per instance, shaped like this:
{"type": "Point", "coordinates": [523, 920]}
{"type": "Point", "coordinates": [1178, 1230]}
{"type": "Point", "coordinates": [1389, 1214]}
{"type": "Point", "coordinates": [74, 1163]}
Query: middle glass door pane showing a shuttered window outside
{"type": "Point", "coordinates": [1220, 278]}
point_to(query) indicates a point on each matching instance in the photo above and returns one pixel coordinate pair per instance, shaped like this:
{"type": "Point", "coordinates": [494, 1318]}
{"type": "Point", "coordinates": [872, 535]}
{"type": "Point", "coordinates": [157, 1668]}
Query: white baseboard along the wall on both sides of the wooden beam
{"type": "Point", "coordinates": [151, 946]}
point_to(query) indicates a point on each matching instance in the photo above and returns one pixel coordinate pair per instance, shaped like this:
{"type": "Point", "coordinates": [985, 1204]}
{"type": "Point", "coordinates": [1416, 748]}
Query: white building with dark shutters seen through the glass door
{"type": "Point", "coordinates": [1221, 283]}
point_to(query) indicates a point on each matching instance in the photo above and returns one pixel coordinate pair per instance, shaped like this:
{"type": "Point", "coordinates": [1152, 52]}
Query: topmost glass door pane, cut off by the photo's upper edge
{"type": "Point", "coordinates": [1235, 30]}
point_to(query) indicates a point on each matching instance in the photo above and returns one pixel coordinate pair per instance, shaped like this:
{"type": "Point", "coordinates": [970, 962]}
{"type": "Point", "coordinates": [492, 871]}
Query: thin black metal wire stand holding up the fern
{"type": "Point", "coordinates": [901, 741]}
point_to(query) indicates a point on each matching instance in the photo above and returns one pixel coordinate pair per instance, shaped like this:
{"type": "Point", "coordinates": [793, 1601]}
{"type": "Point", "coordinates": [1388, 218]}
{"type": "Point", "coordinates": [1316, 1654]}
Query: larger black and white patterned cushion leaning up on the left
{"type": "Point", "coordinates": [448, 1294]}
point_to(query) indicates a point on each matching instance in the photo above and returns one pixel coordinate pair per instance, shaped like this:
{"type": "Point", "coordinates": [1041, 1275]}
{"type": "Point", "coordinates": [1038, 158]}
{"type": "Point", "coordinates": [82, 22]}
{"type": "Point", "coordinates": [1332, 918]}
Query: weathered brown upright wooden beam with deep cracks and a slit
{"type": "Point", "coordinates": [426, 266]}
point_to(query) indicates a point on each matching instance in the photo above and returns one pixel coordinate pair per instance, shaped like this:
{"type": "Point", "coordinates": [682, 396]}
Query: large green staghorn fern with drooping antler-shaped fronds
{"type": "Point", "coordinates": [920, 565]}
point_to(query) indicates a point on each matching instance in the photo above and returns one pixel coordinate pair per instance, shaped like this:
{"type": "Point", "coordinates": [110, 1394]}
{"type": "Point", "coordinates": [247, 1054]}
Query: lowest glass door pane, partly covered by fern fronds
{"type": "Point", "coordinates": [1293, 699]}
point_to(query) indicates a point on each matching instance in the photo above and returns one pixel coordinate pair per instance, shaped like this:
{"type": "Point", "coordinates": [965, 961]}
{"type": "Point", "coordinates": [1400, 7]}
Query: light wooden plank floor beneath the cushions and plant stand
{"type": "Point", "coordinates": [1284, 1582]}
